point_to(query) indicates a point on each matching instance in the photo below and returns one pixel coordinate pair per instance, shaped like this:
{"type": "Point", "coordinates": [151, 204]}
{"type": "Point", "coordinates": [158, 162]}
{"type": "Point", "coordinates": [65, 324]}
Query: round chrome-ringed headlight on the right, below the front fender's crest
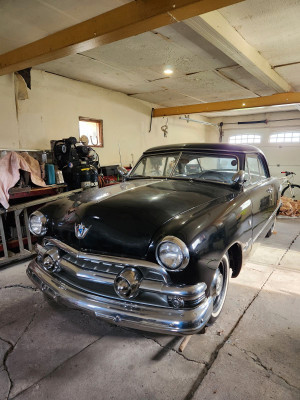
{"type": "Point", "coordinates": [172, 253]}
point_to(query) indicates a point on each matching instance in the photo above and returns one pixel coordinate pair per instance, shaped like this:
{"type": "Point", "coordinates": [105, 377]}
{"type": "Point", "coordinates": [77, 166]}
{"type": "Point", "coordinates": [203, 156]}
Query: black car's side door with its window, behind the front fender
{"type": "Point", "coordinates": [261, 193]}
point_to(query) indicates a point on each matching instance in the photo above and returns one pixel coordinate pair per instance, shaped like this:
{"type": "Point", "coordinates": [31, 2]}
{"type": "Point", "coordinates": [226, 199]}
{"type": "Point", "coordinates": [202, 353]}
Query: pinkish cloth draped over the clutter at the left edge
{"type": "Point", "coordinates": [10, 165]}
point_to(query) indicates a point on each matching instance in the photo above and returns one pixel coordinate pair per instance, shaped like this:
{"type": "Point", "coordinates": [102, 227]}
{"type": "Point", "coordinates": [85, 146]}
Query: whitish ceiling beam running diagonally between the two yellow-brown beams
{"type": "Point", "coordinates": [218, 31]}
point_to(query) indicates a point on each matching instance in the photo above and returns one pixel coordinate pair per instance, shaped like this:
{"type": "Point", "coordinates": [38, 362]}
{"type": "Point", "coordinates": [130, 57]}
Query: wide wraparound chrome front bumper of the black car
{"type": "Point", "coordinates": [124, 313]}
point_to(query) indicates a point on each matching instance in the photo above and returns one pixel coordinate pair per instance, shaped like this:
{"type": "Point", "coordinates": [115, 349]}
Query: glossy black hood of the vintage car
{"type": "Point", "coordinates": [122, 219]}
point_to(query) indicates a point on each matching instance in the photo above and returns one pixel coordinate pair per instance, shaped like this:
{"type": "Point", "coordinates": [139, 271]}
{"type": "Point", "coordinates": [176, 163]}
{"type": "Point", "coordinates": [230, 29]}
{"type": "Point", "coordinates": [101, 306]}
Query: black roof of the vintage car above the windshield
{"type": "Point", "coordinates": [209, 147]}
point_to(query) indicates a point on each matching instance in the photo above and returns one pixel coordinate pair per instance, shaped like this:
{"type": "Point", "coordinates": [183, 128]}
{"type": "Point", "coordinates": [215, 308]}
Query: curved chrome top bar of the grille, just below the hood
{"type": "Point", "coordinates": [119, 261]}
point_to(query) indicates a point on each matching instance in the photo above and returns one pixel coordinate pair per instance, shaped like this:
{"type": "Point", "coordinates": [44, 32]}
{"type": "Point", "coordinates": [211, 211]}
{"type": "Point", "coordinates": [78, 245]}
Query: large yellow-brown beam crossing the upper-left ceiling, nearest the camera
{"type": "Point", "coordinates": [131, 19]}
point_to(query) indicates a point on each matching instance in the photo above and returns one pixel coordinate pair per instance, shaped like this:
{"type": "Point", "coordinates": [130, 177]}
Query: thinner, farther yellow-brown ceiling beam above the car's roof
{"type": "Point", "coordinates": [274, 100]}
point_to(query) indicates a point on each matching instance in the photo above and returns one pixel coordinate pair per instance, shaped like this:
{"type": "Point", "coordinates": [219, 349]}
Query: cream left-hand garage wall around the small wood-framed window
{"type": "Point", "coordinates": [55, 104]}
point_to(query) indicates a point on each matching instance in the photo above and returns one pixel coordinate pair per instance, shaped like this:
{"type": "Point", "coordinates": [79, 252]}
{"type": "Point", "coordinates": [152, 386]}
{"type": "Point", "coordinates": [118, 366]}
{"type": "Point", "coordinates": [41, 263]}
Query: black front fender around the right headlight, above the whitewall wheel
{"type": "Point", "coordinates": [208, 232]}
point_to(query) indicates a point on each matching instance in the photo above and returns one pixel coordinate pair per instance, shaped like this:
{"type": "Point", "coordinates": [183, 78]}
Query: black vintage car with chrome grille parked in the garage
{"type": "Point", "coordinates": [156, 251]}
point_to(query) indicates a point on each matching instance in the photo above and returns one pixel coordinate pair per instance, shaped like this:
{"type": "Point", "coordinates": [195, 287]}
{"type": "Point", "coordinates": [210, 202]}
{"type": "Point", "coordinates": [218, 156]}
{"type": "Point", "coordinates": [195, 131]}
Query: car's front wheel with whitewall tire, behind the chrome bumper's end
{"type": "Point", "coordinates": [219, 287]}
